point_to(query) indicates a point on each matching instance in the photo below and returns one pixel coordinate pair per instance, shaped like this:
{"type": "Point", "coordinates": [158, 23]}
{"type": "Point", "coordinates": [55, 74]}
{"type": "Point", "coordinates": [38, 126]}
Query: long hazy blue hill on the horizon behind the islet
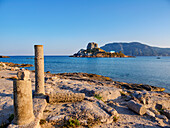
{"type": "Point", "coordinates": [136, 49]}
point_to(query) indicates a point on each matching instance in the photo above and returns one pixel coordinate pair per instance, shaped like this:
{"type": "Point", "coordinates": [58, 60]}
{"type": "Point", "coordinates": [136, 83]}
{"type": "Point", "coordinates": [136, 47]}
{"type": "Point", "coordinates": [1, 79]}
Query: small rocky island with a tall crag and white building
{"type": "Point", "coordinates": [94, 51]}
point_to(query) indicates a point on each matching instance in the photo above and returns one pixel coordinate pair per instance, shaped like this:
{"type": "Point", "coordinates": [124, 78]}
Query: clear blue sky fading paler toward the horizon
{"type": "Point", "coordinates": [65, 26]}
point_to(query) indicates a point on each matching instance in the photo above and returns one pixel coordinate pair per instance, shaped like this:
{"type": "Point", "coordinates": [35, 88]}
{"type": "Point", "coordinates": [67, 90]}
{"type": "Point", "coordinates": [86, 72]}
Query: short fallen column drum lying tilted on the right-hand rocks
{"type": "Point", "coordinates": [136, 107]}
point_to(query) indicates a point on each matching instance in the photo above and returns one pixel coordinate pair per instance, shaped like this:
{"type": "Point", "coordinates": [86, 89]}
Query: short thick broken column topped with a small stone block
{"type": "Point", "coordinates": [23, 105]}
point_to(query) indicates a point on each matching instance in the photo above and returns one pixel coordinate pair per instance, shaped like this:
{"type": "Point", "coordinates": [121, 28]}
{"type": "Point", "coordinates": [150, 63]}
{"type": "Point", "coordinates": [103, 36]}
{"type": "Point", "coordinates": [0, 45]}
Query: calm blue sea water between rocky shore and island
{"type": "Point", "coordinates": [146, 70]}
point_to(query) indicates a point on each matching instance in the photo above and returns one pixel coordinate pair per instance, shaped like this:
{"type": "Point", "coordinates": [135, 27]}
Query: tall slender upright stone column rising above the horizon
{"type": "Point", "coordinates": [39, 69]}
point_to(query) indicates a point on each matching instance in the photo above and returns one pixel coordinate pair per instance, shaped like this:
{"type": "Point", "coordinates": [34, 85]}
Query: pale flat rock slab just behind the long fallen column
{"type": "Point", "coordinates": [107, 93]}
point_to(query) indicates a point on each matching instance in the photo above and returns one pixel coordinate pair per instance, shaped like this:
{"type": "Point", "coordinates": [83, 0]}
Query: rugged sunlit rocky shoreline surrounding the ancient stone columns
{"type": "Point", "coordinates": [106, 103]}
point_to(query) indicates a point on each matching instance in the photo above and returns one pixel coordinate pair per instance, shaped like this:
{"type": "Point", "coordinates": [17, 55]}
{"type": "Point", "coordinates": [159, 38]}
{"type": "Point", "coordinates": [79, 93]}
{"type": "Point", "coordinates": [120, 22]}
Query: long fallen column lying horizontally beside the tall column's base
{"type": "Point", "coordinates": [66, 97]}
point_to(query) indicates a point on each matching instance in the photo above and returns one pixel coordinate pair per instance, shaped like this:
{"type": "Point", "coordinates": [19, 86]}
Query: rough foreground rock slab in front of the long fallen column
{"type": "Point", "coordinates": [88, 109]}
